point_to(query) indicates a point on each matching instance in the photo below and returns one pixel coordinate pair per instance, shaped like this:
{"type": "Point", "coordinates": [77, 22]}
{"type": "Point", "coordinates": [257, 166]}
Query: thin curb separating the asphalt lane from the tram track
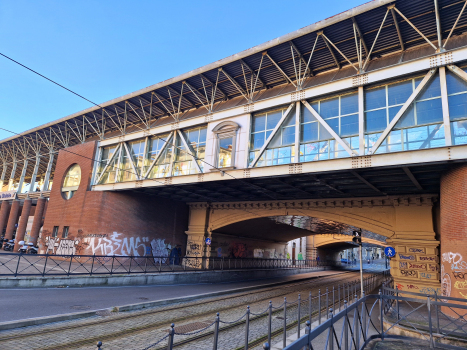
{"type": "Point", "coordinates": [138, 306]}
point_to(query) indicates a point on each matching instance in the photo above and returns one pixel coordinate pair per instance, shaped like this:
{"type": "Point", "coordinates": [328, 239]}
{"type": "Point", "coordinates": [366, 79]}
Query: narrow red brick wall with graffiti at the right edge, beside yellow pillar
{"type": "Point", "coordinates": [453, 222]}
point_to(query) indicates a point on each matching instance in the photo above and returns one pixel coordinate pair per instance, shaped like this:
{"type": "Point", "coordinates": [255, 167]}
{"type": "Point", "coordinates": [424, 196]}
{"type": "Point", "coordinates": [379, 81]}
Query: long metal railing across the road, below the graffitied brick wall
{"type": "Point", "coordinates": [14, 264]}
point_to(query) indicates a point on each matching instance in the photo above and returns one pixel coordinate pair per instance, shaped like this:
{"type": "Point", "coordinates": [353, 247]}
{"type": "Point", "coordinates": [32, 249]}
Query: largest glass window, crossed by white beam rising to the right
{"type": "Point", "coordinates": [420, 127]}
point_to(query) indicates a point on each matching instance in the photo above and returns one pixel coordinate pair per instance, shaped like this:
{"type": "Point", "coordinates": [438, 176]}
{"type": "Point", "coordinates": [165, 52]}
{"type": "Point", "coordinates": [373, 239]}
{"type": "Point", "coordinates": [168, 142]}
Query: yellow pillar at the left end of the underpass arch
{"type": "Point", "coordinates": [198, 231]}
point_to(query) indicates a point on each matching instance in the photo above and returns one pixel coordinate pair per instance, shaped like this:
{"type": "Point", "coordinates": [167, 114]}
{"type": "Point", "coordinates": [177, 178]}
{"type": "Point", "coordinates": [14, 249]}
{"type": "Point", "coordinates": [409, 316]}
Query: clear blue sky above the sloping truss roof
{"type": "Point", "coordinates": [105, 49]}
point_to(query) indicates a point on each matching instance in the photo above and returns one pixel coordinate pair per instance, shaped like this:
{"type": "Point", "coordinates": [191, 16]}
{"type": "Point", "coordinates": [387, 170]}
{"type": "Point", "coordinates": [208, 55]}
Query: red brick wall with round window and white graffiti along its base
{"type": "Point", "coordinates": [108, 223]}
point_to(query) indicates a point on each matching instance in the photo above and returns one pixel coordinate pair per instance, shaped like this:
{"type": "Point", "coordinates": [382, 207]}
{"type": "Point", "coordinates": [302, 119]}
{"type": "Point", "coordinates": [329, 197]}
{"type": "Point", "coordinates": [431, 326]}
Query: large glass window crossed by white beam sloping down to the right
{"type": "Point", "coordinates": [341, 114]}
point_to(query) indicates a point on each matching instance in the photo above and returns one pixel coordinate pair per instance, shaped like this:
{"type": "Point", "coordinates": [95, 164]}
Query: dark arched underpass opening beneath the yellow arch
{"type": "Point", "coordinates": [290, 236]}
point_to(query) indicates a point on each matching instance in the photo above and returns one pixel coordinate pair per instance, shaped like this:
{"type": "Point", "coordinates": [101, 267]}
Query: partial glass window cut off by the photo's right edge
{"type": "Point", "coordinates": [457, 98]}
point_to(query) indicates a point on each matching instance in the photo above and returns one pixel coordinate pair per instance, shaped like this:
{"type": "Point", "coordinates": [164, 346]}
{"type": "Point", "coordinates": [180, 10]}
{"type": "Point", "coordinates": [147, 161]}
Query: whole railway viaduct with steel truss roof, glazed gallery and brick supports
{"type": "Point", "coordinates": [356, 121]}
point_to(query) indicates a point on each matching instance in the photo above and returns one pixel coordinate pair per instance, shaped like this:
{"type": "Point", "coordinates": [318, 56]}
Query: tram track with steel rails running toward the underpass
{"type": "Point", "coordinates": [140, 322]}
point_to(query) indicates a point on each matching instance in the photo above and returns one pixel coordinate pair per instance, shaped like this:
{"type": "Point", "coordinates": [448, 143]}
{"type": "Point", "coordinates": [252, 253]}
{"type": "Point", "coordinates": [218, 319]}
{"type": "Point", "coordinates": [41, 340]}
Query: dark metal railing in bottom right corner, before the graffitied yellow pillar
{"type": "Point", "coordinates": [382, 317]}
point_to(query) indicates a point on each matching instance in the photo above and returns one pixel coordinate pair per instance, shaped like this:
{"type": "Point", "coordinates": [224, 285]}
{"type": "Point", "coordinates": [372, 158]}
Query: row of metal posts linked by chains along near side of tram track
{"type": "Point", "coordinates": [274, 321]}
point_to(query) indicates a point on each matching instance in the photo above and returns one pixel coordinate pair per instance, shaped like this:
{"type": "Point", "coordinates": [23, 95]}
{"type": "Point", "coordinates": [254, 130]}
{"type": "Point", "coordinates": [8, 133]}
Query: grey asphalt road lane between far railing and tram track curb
{"type": "Point", "coordinates": [24, 303]}
